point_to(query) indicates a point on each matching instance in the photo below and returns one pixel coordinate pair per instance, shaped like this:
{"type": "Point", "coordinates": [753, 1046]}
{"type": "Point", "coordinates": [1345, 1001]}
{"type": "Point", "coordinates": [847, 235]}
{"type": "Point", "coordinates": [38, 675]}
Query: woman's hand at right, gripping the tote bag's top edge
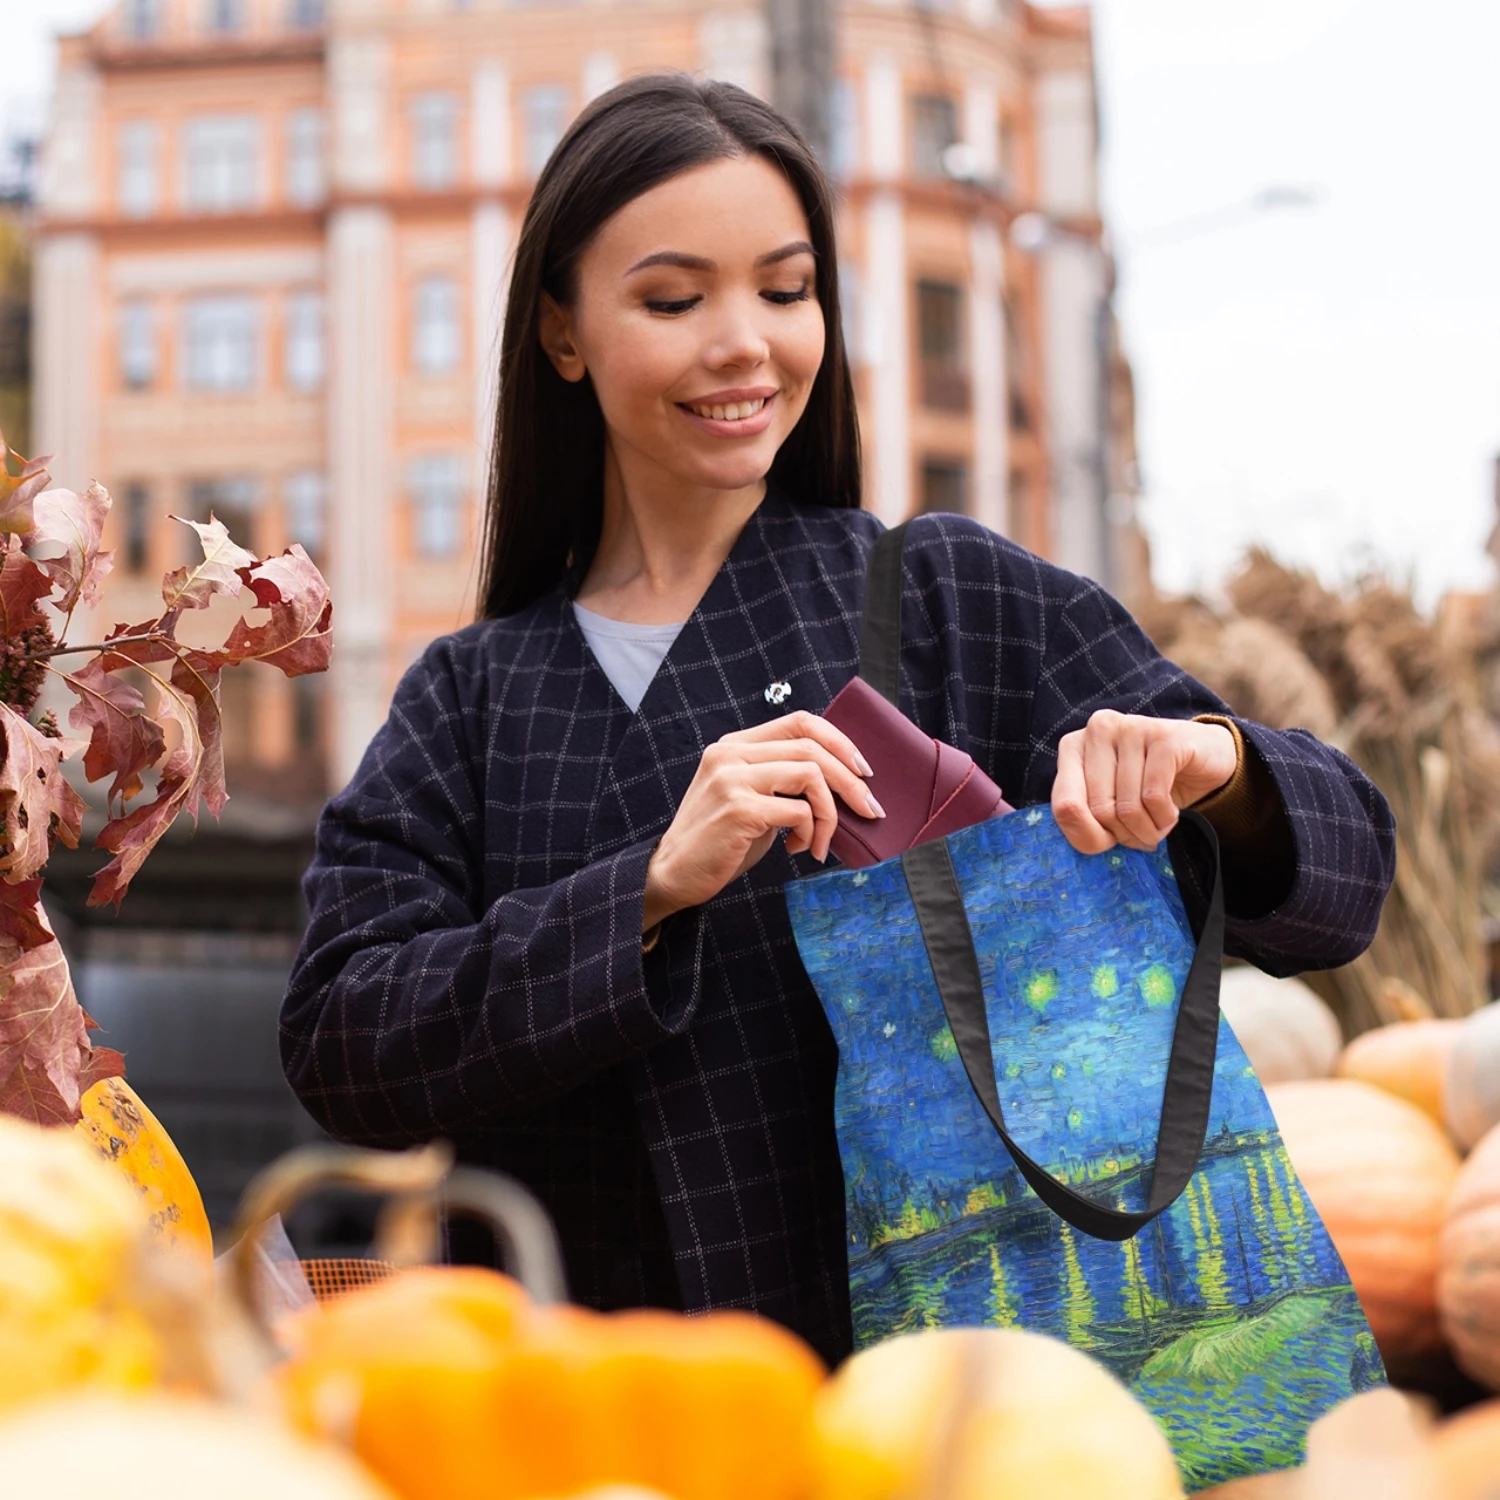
{"type": "Point", "coordinates": [1123, 778]}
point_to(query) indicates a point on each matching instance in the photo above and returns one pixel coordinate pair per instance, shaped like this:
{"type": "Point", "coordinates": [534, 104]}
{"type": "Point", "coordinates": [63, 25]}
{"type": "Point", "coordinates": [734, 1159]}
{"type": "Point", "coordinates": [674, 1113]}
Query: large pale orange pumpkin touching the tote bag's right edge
{"type": "Point", "coordinates": [1379, 1172]}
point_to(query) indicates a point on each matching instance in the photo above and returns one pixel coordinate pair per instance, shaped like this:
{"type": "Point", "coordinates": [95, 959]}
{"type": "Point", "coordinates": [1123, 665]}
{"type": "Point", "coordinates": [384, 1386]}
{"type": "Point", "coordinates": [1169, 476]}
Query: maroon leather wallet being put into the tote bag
{"type": "Point", "coordinates": [928, 788]}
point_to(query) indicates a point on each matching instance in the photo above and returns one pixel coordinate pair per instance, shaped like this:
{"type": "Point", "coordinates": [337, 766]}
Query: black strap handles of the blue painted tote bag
{"type": "Point", "coordinates": [1189, 1090]}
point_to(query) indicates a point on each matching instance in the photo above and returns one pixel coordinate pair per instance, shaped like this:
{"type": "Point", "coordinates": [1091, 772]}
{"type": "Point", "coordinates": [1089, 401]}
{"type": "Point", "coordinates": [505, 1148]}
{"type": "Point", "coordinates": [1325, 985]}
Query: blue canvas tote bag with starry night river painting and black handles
{"type": "Point", "coordinates": [1046, 1123]}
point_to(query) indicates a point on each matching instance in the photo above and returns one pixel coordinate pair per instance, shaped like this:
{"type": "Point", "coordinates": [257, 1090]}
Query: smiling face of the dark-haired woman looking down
{"type": "Point", "coordinates": [697, 317]}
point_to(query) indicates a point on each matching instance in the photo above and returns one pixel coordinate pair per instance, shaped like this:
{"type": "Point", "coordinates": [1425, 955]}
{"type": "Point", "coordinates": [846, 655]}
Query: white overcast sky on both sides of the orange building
{"type": "Point", "coordinates": [1324, 380]}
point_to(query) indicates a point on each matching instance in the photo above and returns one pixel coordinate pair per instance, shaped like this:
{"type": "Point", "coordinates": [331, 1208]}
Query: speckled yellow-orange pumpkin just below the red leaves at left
{"type": "Point", "coordinates": [133, 1141]}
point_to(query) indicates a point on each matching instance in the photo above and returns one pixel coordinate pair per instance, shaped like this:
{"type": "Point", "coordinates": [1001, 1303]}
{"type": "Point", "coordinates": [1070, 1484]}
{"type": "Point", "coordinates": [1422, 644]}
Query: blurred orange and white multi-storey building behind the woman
{"type": "Point", "coordinates": [272, 245]}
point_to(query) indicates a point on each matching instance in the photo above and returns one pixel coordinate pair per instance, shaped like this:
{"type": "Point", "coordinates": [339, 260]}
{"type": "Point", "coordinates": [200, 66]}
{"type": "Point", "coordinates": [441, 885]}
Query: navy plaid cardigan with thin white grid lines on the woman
{"type": "Point", "coordinates": [473, 967]}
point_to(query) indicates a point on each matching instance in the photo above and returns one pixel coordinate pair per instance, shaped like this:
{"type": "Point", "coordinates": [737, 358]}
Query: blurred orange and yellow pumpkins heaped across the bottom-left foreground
{"type": "Point", "coordinates": [122, 1373]}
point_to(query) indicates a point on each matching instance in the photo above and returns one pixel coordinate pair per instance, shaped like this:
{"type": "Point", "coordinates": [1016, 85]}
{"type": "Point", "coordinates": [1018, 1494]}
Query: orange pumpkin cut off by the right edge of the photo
{"type": "Point", "coordinates": [1469, 1280]}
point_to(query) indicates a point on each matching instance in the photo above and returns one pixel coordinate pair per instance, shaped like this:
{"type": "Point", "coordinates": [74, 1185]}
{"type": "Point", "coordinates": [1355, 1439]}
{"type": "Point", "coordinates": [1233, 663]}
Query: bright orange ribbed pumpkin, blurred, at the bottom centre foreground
{"type": "Point", "coordinates": [452, 1387]}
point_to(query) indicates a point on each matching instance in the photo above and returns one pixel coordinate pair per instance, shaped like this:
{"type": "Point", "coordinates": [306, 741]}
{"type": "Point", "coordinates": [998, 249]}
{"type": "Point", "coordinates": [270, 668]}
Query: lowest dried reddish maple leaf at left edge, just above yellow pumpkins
{"type": "Point", "coordinates": [46, 1060]}
